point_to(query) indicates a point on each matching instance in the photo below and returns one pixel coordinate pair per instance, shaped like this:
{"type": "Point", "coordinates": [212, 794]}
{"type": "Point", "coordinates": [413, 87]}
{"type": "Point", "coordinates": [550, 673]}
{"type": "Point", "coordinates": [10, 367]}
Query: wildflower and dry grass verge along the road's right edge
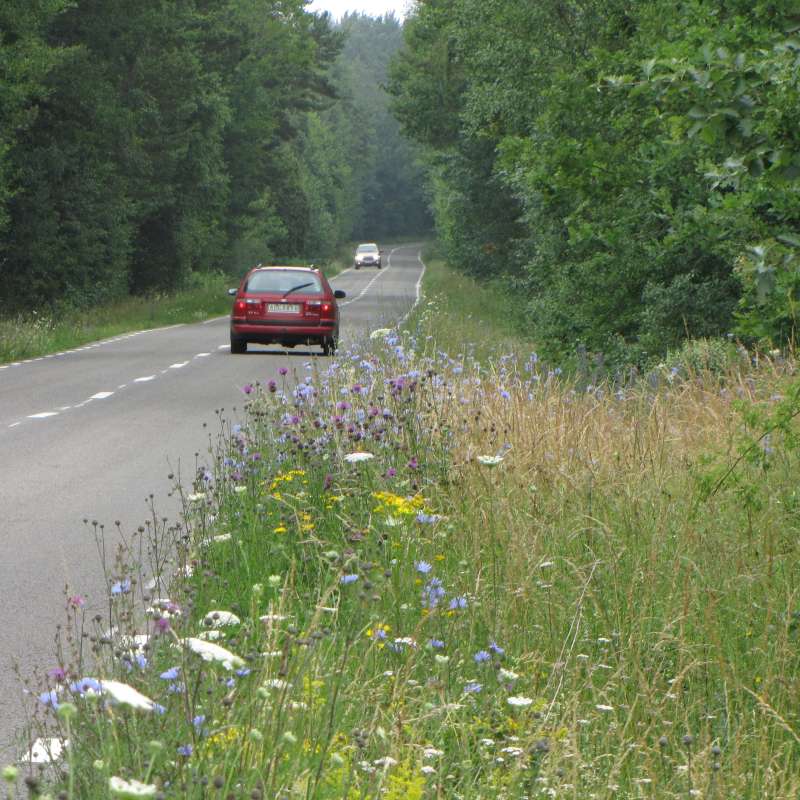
{"type": "Point", "coordinates": [424, 571]}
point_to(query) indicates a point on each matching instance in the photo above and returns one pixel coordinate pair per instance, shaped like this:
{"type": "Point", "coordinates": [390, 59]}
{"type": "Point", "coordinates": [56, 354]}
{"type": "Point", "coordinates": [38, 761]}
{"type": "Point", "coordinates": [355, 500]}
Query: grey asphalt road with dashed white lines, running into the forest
{"type": "Point", "coordinates": [93, 432]}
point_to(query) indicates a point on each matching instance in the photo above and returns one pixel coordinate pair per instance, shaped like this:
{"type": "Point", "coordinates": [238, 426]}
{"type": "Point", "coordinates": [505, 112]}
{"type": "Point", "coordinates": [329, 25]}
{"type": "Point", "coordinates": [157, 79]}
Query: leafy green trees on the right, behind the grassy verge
{"type": "Point", "coordinates": [631, 167]}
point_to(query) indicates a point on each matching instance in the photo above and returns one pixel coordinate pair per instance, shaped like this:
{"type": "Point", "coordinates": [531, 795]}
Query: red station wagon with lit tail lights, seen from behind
{"type": "Point", "coordinates": [286, 306]}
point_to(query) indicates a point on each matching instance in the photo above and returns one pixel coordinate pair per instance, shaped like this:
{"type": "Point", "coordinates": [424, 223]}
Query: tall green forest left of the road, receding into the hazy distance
{"type": "Point", "coordinates": [141, 142]}
